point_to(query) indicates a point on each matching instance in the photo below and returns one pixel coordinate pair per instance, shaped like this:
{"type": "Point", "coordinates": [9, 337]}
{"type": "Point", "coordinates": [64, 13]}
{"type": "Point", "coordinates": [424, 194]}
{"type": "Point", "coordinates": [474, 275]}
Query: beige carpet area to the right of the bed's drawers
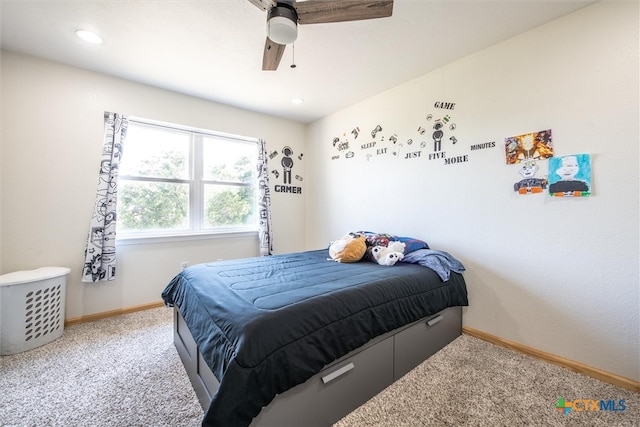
{"type": "Point", "coordinates": [473, 383]}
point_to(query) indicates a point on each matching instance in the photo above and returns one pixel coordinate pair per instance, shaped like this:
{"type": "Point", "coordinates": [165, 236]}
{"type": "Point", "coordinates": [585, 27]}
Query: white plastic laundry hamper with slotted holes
{"type": "Point", "coordinates": [31, 308]}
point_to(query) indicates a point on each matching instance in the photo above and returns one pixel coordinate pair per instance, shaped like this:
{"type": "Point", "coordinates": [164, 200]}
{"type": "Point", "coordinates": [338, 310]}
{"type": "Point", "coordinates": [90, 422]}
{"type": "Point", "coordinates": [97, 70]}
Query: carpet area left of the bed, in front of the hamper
{"type": "Point", "coordinates": [122, 371]}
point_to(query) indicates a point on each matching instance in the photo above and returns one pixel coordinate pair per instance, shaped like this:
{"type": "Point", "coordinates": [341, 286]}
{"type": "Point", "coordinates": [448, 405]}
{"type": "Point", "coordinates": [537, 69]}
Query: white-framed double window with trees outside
{"type": "Point", "coordinates": [182, 181]}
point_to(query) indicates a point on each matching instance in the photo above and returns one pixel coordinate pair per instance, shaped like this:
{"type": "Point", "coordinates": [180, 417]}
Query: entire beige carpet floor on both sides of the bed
{"type": "Point", "coordinates": [124, 371]}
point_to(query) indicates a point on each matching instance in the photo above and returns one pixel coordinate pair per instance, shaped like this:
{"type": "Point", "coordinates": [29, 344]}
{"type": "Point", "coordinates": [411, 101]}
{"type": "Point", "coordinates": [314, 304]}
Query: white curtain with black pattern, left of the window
{"type": "Point", "coordinates": [100, 254]}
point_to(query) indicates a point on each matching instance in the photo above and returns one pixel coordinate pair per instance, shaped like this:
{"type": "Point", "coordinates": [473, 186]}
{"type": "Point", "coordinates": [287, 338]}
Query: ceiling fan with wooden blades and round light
{"type": "Point", "coordinates": [283, 18]}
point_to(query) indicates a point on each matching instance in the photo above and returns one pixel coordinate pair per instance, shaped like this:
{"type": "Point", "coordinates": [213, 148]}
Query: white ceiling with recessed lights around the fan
{"type": "Point", "coordinates": [213, 48]}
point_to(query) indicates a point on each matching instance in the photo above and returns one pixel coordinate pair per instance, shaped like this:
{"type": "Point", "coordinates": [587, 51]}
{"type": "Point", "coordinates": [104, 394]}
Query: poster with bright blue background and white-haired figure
{"type": "Point", "coordinates": [570, 176]}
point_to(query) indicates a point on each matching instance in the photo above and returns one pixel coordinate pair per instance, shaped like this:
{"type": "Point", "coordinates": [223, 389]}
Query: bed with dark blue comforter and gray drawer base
{"type": "Point", "coordinates": [296, 339]}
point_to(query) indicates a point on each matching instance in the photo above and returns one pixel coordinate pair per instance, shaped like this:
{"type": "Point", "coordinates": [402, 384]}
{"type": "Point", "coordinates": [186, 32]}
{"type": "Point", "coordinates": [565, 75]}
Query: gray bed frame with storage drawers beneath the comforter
{"type": "Point", "coordinates": [341, 386]}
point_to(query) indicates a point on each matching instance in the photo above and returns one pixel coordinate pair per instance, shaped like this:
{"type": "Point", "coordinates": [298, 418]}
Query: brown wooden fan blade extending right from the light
{"type": "Point", "coordinates": [323, 11]}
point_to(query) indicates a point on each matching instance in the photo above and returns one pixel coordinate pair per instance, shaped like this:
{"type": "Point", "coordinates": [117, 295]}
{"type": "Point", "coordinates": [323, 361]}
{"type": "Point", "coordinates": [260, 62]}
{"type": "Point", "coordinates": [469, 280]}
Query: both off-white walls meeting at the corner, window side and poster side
{"type": "Point", "coordinates": [558, 275]}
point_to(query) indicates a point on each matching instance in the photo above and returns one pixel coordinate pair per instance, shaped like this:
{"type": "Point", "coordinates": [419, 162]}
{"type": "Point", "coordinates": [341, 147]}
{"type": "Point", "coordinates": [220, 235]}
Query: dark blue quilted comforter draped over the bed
{"type": "Point", "coordinates": [266, 324]}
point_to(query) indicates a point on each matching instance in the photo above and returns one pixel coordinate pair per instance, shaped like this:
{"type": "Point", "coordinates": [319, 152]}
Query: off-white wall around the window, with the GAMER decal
{"type": "Point", "coordinates": [52, 126]}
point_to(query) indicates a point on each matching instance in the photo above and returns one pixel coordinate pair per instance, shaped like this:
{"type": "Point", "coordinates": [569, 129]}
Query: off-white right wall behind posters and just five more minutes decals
{"type": "Point", "coordinates": [559, 275]}
